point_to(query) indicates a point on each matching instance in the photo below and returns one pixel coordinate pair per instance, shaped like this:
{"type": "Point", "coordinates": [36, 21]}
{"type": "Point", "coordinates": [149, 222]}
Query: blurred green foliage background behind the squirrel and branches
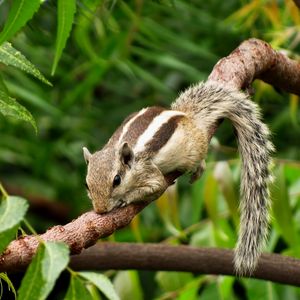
{"type": "Point", "coordinates": [125, 55]}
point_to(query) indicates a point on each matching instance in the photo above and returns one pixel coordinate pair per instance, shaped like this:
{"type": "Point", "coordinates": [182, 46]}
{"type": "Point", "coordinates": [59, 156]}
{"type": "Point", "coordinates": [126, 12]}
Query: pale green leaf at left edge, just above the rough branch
{"type": "Point", "coordinates": [12, 212]}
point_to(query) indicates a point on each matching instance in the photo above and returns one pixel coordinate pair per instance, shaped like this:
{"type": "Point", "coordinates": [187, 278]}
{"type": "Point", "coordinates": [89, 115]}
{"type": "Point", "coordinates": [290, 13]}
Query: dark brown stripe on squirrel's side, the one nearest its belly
{"type": "Point", "coordinates": [162, 136]}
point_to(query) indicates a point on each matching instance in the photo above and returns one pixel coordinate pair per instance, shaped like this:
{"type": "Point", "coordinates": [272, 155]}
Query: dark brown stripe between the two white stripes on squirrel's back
{"type": "Point", "coordinates": [140, 124]}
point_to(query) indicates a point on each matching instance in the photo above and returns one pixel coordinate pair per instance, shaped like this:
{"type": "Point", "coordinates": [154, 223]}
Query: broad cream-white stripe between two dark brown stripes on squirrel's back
{"type": "Point", "coordinates": [154, 126]}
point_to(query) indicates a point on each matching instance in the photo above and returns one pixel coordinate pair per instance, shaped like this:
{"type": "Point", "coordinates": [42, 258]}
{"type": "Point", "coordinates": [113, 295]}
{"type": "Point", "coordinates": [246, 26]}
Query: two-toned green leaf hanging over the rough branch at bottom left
{"type": "Point", "coordinates": [49, 261]}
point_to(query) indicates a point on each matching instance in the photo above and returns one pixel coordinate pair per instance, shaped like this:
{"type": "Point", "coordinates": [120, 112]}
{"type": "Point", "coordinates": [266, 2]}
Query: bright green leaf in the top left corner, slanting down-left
{"type": "Point", "coordinates": [19, 14]}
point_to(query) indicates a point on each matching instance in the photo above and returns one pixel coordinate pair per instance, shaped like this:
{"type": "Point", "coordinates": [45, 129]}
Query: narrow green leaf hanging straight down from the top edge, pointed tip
{"type": "Point", "coordinates": [66, 11]}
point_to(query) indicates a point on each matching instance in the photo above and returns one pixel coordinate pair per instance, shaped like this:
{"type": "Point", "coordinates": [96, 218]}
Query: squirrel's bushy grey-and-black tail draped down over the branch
{"type": "Point", "coordinates": [209, 102]}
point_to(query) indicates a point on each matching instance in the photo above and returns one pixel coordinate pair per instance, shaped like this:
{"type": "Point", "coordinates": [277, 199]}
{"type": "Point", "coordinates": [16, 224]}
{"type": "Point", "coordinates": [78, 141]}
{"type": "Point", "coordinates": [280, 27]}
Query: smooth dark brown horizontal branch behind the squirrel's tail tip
{"type": "Point", "coordinates": [121, 256]}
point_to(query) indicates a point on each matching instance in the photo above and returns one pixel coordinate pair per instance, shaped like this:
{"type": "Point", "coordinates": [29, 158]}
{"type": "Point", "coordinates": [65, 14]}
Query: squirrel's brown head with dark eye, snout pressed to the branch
{"type": "Point", "coordinates": [116, 177]}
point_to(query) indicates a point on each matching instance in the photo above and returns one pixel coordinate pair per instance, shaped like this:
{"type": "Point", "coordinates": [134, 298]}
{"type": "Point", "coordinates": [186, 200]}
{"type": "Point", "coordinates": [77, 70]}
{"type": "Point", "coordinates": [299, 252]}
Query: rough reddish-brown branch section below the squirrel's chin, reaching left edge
{"type": "Point", "coordinates": [81, 233]}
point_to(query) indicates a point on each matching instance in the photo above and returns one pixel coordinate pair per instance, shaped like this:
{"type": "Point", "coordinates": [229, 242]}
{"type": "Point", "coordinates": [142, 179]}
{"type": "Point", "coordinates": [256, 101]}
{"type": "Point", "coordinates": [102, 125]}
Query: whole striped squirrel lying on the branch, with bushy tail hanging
{"type": "Point", "coordinates": [155, 141]}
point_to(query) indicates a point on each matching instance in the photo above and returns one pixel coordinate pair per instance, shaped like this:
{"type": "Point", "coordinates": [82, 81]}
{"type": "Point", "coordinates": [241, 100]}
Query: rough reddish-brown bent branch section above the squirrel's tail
{"type": "Point", "coordinates": [255, 59]}
